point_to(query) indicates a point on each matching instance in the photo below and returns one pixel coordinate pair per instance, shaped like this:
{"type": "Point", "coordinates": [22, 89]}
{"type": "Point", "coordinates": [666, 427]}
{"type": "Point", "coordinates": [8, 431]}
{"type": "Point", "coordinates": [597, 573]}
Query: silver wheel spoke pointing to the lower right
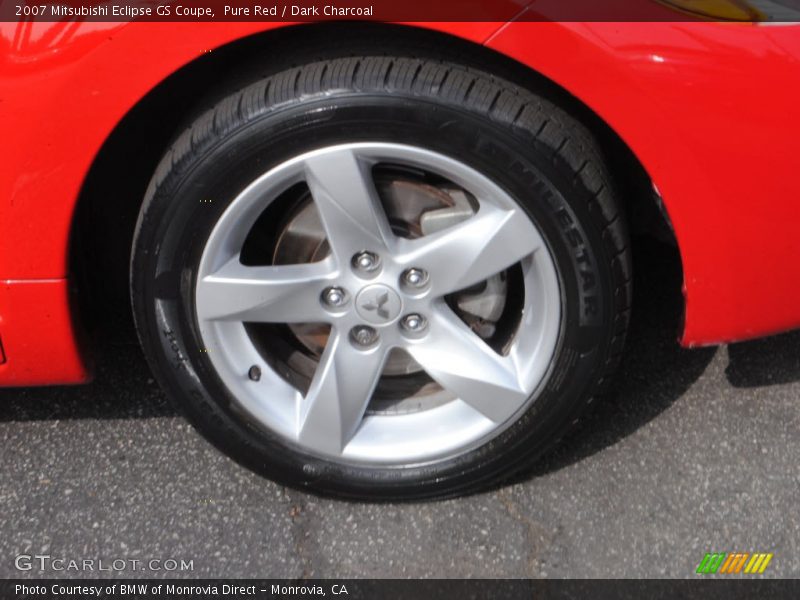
{"type": "Point", "coordinates": [462, 363]}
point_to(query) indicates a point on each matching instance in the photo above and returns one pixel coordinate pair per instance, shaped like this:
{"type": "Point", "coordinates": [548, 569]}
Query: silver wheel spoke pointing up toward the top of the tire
{"type": "Point", "coordinates": [344, 193]}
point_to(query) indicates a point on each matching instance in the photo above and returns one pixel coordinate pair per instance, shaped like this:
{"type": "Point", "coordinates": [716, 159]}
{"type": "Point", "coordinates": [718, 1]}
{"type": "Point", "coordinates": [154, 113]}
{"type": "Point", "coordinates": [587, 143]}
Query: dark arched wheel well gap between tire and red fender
{"type": "Point", "coordinates": [109, 203]}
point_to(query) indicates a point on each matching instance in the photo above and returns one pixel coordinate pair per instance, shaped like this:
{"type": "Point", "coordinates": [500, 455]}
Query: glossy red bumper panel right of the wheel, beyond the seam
{"type": "Point", "coordinates": [711, 110]}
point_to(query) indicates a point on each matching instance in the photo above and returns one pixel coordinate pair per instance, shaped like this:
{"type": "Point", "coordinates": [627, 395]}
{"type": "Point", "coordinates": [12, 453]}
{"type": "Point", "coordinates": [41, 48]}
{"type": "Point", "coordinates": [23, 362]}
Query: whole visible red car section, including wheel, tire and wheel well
{"type": "Point", "coordinates": [390, 260]}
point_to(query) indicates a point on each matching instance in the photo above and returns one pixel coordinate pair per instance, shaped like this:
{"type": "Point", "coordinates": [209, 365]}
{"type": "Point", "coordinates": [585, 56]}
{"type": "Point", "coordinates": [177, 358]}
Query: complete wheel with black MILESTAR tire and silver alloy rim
{"type": "Point", "coordinates": [563, 307]}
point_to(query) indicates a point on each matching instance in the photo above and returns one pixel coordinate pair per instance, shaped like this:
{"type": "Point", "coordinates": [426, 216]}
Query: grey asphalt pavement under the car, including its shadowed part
{"type": "Point", "coordinates": [693, 451]}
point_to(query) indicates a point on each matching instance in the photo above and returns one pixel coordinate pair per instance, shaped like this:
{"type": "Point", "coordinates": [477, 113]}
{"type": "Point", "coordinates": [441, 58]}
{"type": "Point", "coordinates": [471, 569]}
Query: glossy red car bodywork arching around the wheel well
{"type": "Point", "coordinates": [707, 109]}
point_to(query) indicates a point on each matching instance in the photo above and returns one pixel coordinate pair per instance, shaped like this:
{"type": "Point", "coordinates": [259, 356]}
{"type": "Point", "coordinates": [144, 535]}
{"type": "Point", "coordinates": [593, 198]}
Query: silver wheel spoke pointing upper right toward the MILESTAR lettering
{"type": "Point", "coordinates": [472, 251]}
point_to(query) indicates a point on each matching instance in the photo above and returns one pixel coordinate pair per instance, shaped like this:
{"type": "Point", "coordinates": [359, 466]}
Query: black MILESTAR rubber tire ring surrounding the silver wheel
{"type": "Point", "coordinates": [522, 142]}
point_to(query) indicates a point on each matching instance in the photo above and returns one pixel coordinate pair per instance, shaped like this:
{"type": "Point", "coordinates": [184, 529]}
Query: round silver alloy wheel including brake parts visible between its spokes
{"type": "Point", "coordinates": [421, 333]}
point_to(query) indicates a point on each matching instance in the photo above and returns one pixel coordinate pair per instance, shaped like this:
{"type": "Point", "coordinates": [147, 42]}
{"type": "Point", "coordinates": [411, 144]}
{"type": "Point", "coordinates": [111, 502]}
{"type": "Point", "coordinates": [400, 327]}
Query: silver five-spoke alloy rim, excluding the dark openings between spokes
{"type": "Point", "coordinates": [490, 389]}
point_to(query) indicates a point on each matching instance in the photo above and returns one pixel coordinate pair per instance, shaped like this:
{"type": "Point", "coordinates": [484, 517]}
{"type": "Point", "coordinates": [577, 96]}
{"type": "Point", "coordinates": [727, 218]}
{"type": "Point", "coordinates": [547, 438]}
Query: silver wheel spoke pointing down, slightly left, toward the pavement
{"type": "Point", "coordinates": [342, 386]}
